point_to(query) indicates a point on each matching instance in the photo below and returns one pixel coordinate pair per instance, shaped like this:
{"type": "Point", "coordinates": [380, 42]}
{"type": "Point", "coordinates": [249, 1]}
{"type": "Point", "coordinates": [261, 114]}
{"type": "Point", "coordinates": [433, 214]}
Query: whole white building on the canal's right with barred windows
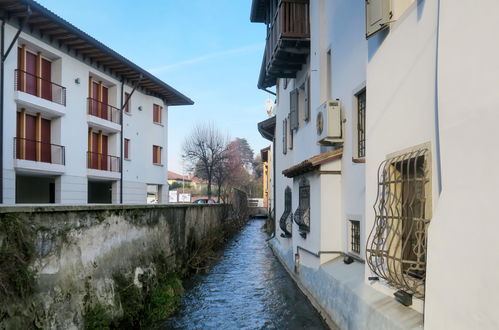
{"type": "Point", "coordinates": [378, 198]}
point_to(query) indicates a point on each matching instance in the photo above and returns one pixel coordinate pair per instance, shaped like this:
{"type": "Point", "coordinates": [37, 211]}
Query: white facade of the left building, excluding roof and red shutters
{"type": "Point", "coordinates": [69, 127]}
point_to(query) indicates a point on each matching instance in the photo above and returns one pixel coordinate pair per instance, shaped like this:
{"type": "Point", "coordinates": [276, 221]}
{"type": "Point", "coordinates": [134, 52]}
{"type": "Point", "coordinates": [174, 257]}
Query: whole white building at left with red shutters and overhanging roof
{"type": "Point", "coordinates": [80, 123]}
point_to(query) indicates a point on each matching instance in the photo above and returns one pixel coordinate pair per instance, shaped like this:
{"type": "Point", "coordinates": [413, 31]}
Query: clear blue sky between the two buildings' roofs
{"type": "Point", "coordinates": [206, 49]}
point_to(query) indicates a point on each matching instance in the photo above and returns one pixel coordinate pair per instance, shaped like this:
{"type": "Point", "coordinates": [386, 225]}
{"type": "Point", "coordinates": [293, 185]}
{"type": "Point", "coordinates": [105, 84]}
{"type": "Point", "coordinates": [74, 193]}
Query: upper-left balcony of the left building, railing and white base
{"type": "Point", "coordinates": [38, 93]}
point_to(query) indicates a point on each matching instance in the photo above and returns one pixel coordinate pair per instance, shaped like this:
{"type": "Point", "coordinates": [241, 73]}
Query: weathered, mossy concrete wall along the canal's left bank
{"type": "Point", "coordinates": [79, 249]}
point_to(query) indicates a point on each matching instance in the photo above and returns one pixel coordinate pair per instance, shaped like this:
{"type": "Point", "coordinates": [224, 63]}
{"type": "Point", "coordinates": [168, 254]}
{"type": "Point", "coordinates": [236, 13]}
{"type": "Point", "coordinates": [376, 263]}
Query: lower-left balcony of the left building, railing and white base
{"type": "Point", "coordinates": [31, 156]}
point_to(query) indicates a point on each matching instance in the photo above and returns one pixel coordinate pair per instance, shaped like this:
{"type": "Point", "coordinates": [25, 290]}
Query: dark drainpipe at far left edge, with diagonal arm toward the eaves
{"type": "Point", "coordinates": [3, 55]}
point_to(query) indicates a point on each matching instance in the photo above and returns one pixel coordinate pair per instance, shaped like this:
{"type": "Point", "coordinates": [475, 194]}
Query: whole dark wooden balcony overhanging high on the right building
{"type": "Point", "coordinates": [288, 42]}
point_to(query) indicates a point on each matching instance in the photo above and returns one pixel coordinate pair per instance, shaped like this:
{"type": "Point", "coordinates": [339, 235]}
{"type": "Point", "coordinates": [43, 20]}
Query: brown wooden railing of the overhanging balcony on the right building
{"type": "Point", "coordinates": [291, 21]}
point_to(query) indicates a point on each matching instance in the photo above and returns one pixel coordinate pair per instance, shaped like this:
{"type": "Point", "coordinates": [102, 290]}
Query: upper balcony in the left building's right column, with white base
{"type": "Point", "coordinates": [103, 116]}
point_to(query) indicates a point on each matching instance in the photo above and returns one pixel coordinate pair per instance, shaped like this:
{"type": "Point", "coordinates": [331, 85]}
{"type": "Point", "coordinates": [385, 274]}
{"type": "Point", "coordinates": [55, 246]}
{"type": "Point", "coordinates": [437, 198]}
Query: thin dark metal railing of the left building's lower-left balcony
{"type": "Point", "coordinates": [38, 151]}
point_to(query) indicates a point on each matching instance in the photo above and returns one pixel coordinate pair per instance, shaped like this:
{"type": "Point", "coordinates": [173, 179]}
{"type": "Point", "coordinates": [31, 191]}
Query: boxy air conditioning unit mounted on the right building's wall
{"type": "Point", "coordinates": [329, 123]}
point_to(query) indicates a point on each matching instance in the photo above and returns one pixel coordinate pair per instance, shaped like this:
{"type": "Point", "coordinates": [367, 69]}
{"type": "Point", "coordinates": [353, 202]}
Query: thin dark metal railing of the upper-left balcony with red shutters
{"type": "Point", "coordinates": [37, 86]}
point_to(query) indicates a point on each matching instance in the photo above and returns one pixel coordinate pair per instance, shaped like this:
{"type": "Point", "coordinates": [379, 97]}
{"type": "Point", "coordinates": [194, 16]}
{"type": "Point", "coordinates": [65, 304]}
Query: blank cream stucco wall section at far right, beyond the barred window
{"type": "Point", "coordinates": [463, 253]}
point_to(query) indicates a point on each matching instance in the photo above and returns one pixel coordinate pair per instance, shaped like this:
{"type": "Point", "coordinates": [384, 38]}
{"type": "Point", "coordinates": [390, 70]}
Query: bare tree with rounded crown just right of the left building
{"type": "Point", "coordinates": [205, 150]}
